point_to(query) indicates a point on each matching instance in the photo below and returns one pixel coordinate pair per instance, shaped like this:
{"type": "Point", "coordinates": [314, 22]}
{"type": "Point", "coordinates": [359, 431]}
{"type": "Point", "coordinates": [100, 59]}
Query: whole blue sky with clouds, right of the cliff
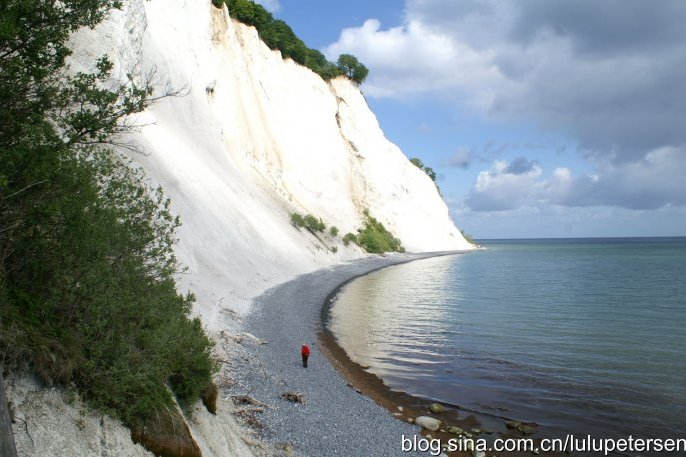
{"type": "Point", "coordinates": [542, 119]}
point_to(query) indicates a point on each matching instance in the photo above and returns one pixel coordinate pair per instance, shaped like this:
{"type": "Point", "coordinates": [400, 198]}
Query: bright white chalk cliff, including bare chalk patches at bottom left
{"type": "Point", "coordinates": [255, 138]}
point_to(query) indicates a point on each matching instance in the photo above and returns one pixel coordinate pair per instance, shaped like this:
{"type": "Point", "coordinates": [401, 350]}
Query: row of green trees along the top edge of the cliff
{"type": "Point", "coordinates": [278, 35]}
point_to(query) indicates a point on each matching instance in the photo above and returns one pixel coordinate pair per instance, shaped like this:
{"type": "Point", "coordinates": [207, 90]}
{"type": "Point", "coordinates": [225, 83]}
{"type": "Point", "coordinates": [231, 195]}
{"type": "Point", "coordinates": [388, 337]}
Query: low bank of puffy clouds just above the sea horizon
{"type": "Point", "coordinates": [654, 181]}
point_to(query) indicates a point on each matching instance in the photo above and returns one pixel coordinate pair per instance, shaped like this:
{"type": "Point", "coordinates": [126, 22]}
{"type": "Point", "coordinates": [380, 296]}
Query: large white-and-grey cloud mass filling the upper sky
{"type": "Point", "coordinates": [609, 74]}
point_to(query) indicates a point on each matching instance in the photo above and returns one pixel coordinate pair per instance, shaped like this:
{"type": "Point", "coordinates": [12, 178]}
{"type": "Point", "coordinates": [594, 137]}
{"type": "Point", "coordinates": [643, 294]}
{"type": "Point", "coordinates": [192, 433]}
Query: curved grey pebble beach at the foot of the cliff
{"type": "Point", "coordinates": [346, 409]}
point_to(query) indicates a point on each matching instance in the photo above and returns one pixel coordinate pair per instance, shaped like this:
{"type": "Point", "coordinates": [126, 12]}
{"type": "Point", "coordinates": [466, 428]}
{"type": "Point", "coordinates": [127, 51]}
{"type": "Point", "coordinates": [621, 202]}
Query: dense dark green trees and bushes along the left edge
{"type": "Point", "coordinates": [87, 291]}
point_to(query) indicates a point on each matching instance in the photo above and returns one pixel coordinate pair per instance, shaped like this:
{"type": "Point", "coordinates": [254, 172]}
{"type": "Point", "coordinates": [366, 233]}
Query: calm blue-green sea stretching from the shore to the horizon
{"type": "Point", "coordinates": [580, 335]}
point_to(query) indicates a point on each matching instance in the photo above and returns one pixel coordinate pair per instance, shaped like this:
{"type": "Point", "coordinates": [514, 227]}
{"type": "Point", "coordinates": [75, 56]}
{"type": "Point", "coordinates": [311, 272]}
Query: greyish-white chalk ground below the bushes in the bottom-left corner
{"type": "Point", "coordinates": [48, 426]}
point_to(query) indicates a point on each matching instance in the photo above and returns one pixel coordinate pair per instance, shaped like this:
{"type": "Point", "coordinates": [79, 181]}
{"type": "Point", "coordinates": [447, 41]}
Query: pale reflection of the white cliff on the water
{"type": "Point", "coordinates": [382, 320]}
